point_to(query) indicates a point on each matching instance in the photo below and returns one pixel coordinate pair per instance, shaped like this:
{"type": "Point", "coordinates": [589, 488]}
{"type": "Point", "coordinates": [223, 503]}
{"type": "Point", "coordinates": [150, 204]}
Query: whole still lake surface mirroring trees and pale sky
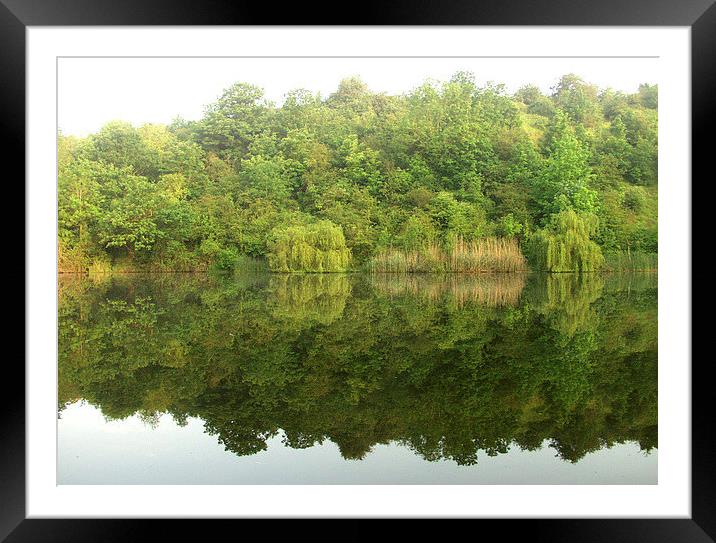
{"type": "Point", "coordinates": [358, 379]}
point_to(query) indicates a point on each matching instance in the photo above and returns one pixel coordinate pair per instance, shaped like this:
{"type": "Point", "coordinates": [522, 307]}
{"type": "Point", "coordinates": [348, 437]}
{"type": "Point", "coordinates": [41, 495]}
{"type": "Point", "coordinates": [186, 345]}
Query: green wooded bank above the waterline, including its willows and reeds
{"type": "Point", "coordinates": [364, 179]}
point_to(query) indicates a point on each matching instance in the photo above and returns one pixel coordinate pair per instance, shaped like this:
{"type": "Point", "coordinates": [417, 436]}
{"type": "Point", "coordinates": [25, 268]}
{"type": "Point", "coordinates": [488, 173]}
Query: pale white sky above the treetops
{"type": "Point", "coordinates": [93, 91]}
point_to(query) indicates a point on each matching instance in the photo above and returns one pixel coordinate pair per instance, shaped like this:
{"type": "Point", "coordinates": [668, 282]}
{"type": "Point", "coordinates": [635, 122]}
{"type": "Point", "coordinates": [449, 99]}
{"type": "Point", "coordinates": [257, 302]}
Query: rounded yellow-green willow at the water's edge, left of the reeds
{"type": "Point", "coordinates": [318, 247]}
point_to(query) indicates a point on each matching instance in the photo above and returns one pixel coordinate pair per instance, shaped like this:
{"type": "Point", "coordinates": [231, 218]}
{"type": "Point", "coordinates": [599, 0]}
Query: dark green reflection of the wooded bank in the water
{"type": "Point", "coordinates": [358, 362]}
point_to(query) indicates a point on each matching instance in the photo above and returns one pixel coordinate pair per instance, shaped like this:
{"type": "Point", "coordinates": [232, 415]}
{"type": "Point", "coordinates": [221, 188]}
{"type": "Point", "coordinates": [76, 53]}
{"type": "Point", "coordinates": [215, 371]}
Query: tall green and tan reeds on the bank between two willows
{"type": "Point", "coordinates": [484, 255]}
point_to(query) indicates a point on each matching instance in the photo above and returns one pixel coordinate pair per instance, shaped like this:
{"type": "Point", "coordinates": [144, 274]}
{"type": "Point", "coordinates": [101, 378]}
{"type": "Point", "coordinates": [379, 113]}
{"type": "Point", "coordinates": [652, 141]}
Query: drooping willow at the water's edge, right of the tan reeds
{"type": "Point", "coordinates": [564, 245]}
